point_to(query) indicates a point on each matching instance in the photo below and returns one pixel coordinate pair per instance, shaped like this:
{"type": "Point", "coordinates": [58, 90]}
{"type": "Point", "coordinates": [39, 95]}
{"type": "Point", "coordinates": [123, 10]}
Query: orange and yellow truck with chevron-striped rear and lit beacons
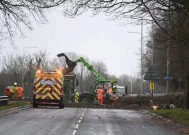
{"type": "Point", "coordinates": [48, 89]}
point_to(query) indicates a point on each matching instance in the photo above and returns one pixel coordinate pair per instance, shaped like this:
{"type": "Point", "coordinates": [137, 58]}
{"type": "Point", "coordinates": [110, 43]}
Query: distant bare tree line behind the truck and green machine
{"type": "Point", "coordinates": [21, 68]}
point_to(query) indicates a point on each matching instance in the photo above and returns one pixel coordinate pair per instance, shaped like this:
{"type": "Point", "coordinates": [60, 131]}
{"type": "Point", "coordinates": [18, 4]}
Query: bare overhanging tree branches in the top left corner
{"type": "Point", "coordinates": [16, 14]}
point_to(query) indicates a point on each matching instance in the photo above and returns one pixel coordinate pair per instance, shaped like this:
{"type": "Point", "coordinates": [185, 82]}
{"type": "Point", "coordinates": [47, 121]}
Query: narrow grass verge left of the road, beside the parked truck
{"type": "Point", "coordinates": [13, 105]}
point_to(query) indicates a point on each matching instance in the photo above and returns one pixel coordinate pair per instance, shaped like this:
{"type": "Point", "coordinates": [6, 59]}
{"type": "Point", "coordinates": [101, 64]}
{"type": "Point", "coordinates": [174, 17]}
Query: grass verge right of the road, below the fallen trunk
{"type": "Point", "coordinates": [180, 115]}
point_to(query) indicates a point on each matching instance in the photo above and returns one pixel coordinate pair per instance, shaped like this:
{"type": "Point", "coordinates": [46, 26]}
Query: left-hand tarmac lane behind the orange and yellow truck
{"type": "Point", "coordinates": [40, 121]}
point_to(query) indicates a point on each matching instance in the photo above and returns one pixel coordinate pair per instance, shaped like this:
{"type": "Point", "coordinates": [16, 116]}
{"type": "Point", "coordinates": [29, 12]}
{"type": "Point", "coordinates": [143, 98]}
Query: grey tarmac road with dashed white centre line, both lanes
{"type": "Point", "coordinates": [80, 121]}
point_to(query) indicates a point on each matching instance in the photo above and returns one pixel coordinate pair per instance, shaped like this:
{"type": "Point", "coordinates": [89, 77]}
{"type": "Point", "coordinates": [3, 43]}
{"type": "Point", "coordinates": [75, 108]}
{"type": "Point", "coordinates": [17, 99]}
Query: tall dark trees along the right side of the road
{"type": "Point", "coordinates": [168, 45]}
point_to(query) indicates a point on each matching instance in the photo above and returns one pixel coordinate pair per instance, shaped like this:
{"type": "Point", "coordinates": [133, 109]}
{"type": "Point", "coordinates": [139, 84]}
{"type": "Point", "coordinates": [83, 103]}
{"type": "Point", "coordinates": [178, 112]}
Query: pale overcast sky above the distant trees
{"type": "Point", "coordinates": [94, 37]}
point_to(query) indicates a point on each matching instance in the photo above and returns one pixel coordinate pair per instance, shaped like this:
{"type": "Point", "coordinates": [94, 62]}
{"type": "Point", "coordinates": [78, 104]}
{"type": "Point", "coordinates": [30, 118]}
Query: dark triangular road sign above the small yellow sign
{"type": "Point", "coordinates": [151, 74]}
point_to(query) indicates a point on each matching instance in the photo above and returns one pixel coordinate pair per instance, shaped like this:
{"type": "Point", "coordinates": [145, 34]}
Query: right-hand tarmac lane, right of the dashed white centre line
{"type": "Point", "coordinates": [120, 122]}
